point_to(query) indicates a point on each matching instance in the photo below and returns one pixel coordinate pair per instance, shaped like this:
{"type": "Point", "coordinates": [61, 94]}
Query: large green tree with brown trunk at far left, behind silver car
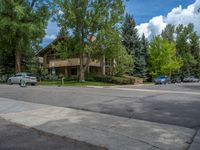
{"type": "Point", "coordinates": [22, 26]}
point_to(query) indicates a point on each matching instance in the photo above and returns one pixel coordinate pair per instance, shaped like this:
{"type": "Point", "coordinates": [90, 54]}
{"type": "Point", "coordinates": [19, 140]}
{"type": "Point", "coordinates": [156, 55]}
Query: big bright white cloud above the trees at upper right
{"type": "Point", "coordinates": [178, 15]}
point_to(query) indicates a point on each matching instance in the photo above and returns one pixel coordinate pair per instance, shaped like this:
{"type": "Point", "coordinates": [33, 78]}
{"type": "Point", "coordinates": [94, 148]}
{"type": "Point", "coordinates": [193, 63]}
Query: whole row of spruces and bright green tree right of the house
{"type": "Point", "coordinates": [176, 52]}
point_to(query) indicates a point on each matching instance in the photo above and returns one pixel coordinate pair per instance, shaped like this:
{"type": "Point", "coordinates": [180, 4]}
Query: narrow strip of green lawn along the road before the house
{"type": "Point", "coordinates": [74, 83]}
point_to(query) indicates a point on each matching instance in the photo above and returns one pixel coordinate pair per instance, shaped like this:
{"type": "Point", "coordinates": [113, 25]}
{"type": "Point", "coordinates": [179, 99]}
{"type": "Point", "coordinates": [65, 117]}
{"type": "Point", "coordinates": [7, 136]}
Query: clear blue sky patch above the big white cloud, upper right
{"type": "Point", "coordinates": [144, 10]}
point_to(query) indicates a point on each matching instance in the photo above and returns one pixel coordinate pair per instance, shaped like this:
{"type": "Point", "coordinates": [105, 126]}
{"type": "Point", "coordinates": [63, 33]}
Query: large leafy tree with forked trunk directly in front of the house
{"type": "Point", "coordinates": [94, 26]}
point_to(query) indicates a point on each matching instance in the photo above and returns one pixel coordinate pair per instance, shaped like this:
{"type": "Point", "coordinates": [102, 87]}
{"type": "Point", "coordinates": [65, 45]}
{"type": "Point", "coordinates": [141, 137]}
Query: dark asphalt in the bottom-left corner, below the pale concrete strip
{"type": "Point", "coordinates": [15, 137]}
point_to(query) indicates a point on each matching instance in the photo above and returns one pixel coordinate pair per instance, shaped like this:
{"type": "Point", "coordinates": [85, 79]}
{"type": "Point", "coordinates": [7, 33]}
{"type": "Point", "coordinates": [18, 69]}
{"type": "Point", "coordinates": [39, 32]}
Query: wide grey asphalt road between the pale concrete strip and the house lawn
{"type": "Point", "coordinates": [176, 104]}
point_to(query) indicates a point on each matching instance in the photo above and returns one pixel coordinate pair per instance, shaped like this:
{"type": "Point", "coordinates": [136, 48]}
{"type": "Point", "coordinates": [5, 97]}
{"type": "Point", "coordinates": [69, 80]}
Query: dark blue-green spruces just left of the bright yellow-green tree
{"type": "Point", "coordinates": [135, 46]}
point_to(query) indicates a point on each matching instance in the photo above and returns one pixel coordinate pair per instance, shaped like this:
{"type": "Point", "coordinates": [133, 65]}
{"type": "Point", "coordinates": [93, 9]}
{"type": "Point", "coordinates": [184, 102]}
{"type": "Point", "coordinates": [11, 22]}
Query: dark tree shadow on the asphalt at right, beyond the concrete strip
{"type": "Point", "coordinates": [175, 112]}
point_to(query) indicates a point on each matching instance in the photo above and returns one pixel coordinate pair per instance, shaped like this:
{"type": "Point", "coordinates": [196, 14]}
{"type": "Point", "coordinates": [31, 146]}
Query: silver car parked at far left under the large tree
{"type": "Point", "coordinates": [29, 78]}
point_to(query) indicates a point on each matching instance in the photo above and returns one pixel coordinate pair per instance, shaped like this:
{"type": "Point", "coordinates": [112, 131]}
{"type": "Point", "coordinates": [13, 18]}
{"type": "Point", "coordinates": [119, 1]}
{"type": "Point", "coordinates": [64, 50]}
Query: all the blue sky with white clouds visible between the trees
{"type": "Point", "coordinates": [152, 16]}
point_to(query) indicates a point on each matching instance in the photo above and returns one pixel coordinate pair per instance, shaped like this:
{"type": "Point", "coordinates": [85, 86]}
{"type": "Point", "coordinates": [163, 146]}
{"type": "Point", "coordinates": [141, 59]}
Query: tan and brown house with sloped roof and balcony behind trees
{"type": "Point", "coordinates": [69, 67]}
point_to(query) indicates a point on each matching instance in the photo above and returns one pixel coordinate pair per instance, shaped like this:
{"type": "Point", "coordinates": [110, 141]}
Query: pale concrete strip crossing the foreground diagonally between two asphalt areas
{"type": "Point", "coordinates": [115, 133]}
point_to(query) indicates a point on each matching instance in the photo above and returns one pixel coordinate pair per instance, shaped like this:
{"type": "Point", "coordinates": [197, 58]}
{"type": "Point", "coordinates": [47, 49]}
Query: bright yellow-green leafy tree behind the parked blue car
{"type": "Point", "coordinates": [162, 57]}
